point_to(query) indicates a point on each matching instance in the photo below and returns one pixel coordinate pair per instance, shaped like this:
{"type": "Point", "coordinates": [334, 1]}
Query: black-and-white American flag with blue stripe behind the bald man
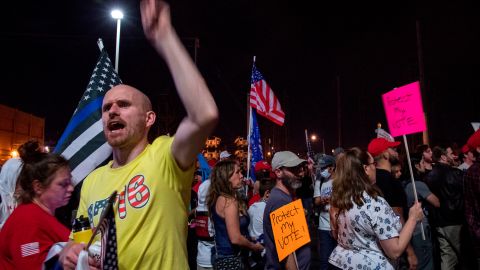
{"type": "Point", "coordinates": [82, 141]}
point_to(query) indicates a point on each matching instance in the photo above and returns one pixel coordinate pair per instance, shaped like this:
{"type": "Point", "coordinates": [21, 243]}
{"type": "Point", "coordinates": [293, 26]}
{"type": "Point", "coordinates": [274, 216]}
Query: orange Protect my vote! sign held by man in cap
{"type": "Point", "coordinates": [290, 228]}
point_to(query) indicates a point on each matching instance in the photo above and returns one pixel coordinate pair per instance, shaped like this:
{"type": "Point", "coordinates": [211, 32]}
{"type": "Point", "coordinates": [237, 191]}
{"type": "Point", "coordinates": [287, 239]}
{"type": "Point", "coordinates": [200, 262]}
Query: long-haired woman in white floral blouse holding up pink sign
{"type": "Point", "coordinates": [361, 219]}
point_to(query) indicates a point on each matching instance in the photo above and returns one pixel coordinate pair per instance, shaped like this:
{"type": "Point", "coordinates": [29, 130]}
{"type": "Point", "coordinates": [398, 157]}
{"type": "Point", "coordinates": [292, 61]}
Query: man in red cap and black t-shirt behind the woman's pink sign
{"type": "Point", "coordinates": [384, 155]}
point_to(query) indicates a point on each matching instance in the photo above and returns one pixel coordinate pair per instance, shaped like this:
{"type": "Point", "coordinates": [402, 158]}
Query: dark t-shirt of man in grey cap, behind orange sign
{"type": "Point", "coordinates": [277, 199]}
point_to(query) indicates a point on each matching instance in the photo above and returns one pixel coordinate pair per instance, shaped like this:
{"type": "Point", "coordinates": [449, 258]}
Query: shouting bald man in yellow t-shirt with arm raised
{"type": "Point", "coordinates": [152, 181]}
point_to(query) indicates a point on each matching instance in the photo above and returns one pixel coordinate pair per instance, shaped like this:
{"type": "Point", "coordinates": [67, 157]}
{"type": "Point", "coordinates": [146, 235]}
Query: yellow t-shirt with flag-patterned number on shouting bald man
{"type": "Point", "coordinates": [150, 210]}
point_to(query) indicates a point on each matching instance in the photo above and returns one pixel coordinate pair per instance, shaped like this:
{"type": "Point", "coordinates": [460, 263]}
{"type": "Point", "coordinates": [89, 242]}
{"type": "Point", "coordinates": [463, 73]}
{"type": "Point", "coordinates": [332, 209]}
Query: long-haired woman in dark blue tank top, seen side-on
{"type": "Point", "coordinates": [229, 216]}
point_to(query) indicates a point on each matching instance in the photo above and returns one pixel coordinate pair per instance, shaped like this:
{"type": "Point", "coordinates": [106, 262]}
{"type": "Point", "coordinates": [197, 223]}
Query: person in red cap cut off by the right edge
{"type": "Point", "coordinates": [471, 190]}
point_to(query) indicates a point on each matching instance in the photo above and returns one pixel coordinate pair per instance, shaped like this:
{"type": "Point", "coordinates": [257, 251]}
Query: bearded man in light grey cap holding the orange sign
{"type": "Point", "coordinates": [288, 168]}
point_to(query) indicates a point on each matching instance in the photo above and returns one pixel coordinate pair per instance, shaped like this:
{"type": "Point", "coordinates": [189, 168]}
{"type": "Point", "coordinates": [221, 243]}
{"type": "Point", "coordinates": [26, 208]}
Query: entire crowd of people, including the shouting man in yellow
{"type": "Point", "coordinates": [365, 208]}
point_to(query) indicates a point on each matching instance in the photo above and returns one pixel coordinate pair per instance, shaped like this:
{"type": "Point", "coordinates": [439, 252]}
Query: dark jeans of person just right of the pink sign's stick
{"type": "Point", "coordinates": [423, 249]}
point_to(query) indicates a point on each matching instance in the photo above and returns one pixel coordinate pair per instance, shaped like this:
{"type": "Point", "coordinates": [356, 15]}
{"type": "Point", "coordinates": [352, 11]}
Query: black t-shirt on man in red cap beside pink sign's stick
{"type": "Point", "coordinates": [392, 189]}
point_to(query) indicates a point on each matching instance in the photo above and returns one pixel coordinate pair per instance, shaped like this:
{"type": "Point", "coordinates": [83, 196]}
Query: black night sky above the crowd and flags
{"type": "Point", "coordinates": [302, 47]}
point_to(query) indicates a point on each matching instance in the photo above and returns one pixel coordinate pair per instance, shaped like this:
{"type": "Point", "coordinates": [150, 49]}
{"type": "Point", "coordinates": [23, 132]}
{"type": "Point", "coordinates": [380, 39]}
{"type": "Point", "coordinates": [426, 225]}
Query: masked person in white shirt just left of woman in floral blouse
{"type": "Point", "coordinates": [321, 194]}
